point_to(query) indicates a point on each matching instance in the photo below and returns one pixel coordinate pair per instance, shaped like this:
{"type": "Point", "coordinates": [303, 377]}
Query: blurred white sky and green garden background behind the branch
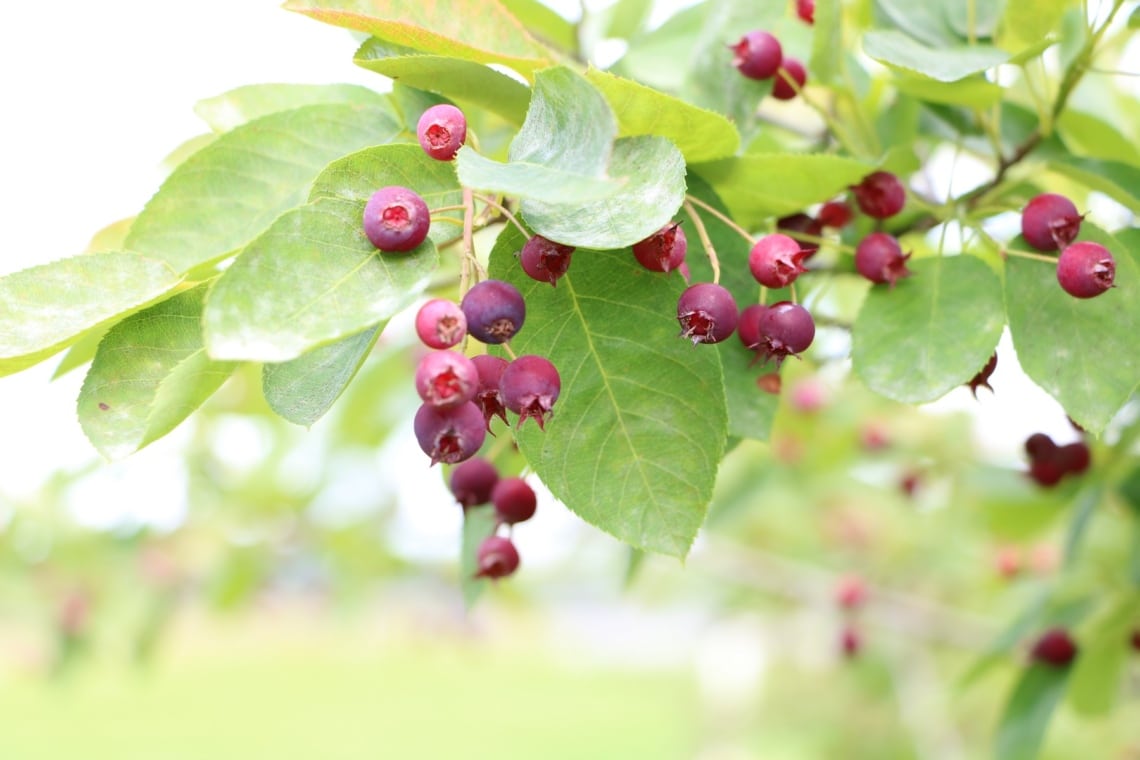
{"type": "Point", "coordinates": [246, 589]}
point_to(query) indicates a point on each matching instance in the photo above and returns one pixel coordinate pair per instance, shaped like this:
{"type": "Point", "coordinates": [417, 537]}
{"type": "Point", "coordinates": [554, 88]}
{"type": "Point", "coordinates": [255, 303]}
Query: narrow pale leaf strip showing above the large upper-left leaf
{"type": "Point", "coordinates": [245, 104]}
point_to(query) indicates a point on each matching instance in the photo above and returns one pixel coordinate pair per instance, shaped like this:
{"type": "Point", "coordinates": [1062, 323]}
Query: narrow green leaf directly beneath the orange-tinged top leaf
{"type": "Point", "coordinates": [455, 78]}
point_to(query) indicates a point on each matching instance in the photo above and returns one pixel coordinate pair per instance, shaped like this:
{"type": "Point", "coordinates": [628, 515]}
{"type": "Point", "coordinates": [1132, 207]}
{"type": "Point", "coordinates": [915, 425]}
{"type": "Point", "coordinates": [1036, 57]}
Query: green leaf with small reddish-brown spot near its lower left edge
{"type": "Point", "coordinates": [150, 373]}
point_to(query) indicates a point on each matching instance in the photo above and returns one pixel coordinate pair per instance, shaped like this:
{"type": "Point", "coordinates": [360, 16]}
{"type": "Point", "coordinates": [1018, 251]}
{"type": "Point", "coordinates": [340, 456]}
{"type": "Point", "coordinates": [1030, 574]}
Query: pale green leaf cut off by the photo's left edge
{"type": "Point", "coordinates": [45, 309]}
